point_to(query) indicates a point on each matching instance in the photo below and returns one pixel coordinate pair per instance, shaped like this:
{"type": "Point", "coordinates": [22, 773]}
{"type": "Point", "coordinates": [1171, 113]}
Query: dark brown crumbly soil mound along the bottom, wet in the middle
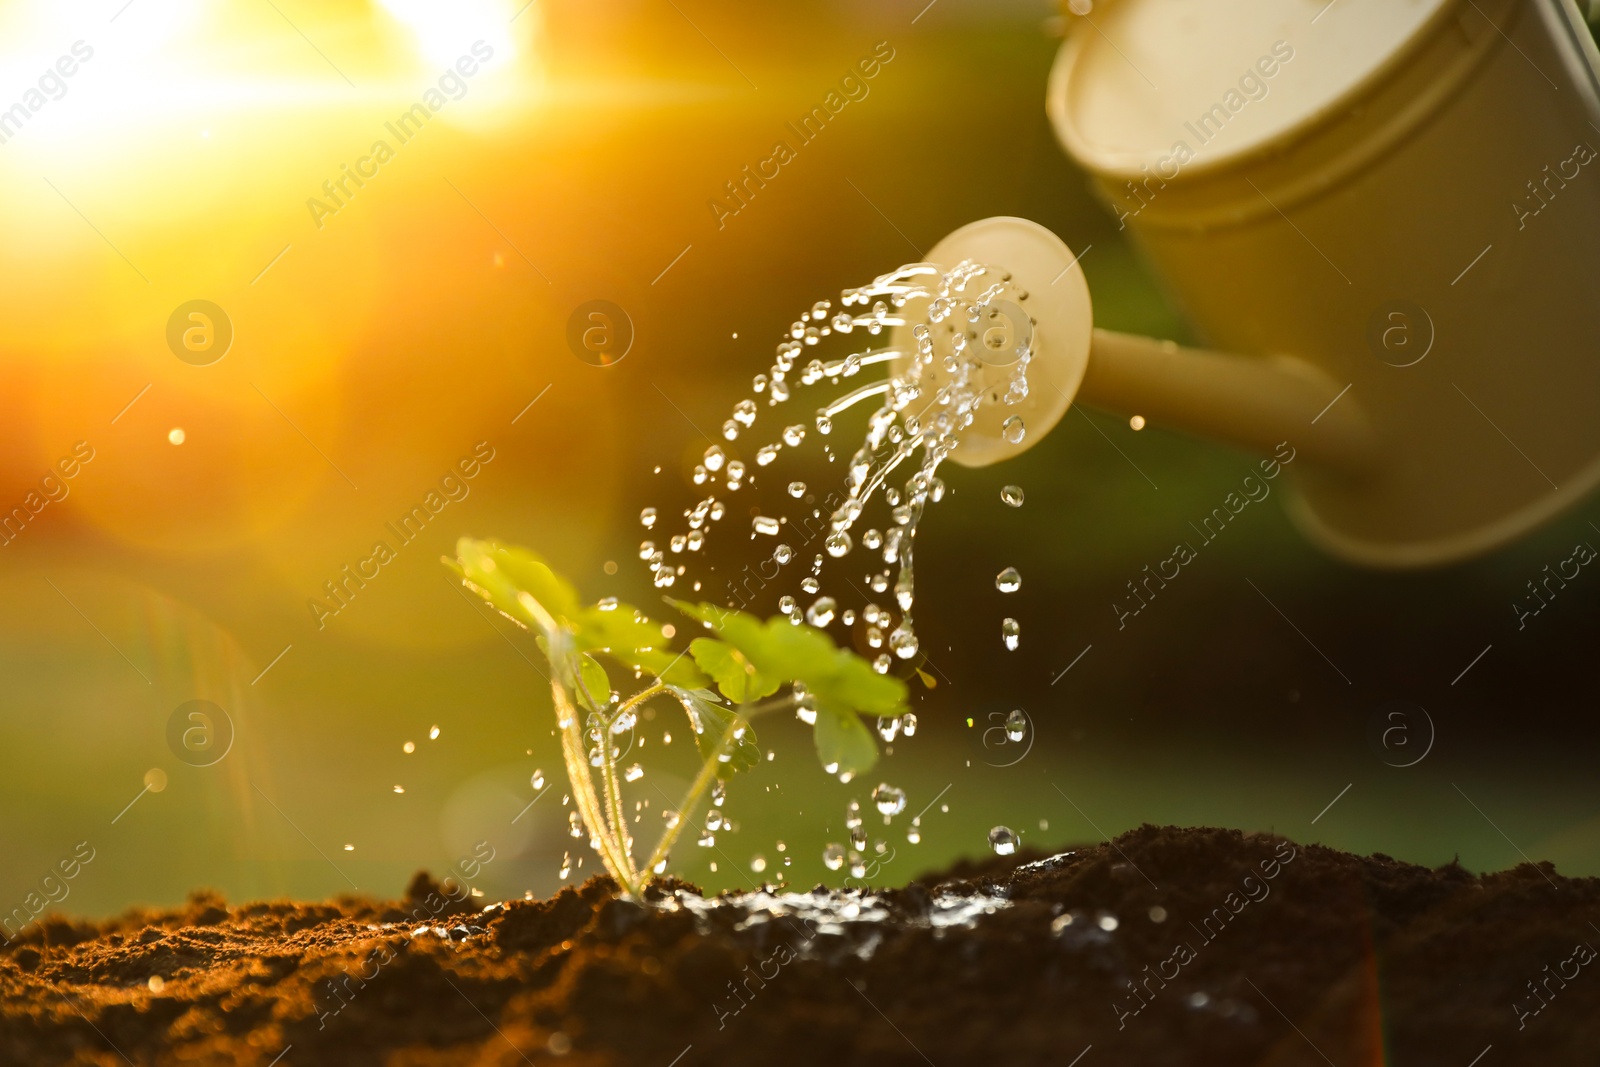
{"type": "Point", "coordinates": [1162, 948]}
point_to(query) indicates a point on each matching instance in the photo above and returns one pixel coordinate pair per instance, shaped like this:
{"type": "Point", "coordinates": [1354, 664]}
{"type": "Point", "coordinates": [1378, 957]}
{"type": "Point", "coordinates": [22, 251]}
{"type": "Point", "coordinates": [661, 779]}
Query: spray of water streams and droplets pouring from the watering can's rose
{"type": "Point", "coordinates": [938, 383]}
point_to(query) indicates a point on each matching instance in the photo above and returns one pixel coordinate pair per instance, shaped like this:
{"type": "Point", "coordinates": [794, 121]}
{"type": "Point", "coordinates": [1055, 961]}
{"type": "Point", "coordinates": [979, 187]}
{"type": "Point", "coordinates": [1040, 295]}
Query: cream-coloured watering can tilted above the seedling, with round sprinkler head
{"type": "Point", "coordinates": [1383, 218]}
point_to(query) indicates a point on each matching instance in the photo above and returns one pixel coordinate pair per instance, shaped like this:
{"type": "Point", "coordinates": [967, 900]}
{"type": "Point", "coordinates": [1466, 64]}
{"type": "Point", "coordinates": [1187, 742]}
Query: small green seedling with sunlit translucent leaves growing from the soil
{"type": "Point", "coordinates": [756, 668]}
